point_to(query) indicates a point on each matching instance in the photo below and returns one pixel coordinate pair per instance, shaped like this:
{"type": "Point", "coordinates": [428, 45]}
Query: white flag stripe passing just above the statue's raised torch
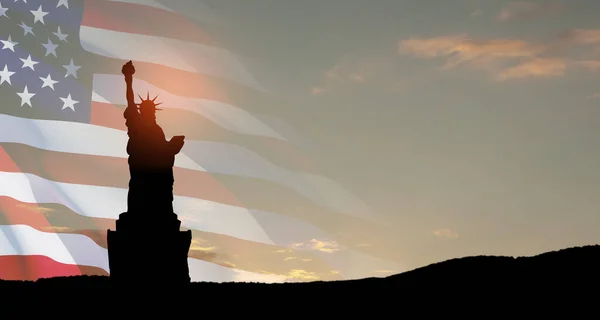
{"type": "Point", "coordinates": [178, 54]}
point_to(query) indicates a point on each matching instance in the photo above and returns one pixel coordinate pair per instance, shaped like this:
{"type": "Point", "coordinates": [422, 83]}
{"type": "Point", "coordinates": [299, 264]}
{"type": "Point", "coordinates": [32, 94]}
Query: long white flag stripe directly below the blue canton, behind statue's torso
{"type": "Point", "coordinates": [214, 157]}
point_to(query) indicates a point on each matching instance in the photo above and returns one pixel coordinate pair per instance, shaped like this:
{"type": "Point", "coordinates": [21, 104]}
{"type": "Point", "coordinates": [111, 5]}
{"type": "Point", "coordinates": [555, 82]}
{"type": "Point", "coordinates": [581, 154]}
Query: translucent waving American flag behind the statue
{"type": "Point", "coordinates": [257, 206]}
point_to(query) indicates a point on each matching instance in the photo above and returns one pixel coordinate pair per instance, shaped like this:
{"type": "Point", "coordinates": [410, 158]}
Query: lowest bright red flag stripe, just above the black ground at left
{"type": "Point", "coordinates": [37, 267]}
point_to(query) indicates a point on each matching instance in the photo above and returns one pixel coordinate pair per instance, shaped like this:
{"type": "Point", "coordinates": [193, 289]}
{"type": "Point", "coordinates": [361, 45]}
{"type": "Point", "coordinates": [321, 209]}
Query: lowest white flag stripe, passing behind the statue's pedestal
{"type": "Point", "coordinates": [75, 249]}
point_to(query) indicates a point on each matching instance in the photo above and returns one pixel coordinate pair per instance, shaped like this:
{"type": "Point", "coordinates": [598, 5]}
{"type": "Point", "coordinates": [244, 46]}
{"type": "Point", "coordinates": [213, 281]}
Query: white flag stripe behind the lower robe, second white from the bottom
{"type": "Point", "coordinates": [105, 202]}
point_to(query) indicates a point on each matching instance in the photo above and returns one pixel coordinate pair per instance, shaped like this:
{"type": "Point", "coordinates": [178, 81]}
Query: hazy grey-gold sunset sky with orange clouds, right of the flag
{"type": "Point", "coordinates": [470, 126]}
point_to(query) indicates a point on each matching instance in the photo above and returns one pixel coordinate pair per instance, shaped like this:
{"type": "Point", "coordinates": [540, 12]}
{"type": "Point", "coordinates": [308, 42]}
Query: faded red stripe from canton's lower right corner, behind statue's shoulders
{"type": "Point", "coordinates": [197, 127]}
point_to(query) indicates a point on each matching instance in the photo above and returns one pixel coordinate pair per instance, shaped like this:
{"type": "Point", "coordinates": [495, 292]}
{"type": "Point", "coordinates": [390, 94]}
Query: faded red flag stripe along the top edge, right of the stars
{"type": "Point", "coordinates": [133, 18]}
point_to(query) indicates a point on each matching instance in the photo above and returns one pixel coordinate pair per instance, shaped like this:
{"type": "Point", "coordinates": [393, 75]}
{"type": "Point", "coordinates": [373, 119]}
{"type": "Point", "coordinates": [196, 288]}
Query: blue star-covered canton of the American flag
{"type": "Point", "coordinates": [37, 34]}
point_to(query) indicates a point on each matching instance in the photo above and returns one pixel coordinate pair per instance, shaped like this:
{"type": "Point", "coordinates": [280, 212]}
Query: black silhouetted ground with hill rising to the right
{"type": "Point", "coordinates": [546, 281]}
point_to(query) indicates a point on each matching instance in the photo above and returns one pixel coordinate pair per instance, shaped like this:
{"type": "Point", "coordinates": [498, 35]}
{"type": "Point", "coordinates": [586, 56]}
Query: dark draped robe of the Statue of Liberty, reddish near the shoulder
{"type": "Point", "coordinates": [151, 161]}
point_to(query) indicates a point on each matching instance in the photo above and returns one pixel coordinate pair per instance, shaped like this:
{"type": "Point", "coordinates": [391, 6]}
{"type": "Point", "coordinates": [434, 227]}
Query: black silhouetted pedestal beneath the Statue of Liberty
{"type": "Point", "coordinates": [149, 249]}
